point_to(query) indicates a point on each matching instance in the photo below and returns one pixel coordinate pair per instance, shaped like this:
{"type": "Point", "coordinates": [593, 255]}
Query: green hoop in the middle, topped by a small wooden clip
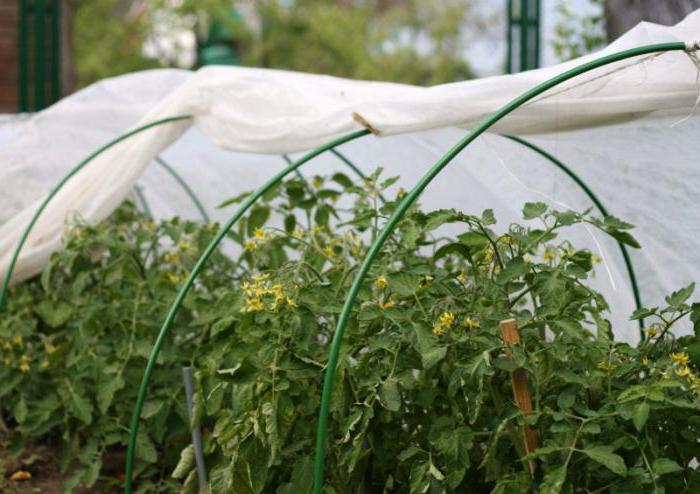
{"type": "Point", "coordinates": [185, 288]}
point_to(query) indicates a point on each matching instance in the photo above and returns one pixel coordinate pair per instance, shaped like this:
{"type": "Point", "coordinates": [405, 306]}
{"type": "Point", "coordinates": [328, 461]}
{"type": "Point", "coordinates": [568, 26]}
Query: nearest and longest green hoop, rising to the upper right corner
{"type": "Point", "coordinates": [406, 203]}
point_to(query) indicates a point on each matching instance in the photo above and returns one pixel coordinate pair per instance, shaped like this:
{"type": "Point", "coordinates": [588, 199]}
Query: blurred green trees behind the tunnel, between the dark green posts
{"type": "Point", "coordinates": [409, 41]}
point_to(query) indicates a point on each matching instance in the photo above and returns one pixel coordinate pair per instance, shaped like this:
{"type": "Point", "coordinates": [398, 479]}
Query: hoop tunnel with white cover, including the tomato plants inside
{"type": "Point", "coordinates": [483, 286]}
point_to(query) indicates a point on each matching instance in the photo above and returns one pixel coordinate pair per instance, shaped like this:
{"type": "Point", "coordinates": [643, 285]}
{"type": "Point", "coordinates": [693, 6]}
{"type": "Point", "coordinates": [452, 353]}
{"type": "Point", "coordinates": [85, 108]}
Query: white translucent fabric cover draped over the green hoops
{"type": "Point", "coordinates": [629, 129]}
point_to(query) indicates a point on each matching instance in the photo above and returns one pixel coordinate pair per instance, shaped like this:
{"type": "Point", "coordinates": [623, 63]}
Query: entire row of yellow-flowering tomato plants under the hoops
{"type": "Point", "coordinates": [422, 400]}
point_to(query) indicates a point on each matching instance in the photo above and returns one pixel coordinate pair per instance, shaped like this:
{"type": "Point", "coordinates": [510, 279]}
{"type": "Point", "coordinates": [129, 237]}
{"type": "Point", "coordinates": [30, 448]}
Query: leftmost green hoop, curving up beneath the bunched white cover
{"type": "Point", "coordinates": [52, 193]}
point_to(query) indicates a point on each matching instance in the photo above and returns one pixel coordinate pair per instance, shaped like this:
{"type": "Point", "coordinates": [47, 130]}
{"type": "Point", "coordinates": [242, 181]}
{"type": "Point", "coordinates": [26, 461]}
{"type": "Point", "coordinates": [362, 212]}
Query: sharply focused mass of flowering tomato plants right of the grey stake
{"type": "Point", "coordinates": [422, 400]}
